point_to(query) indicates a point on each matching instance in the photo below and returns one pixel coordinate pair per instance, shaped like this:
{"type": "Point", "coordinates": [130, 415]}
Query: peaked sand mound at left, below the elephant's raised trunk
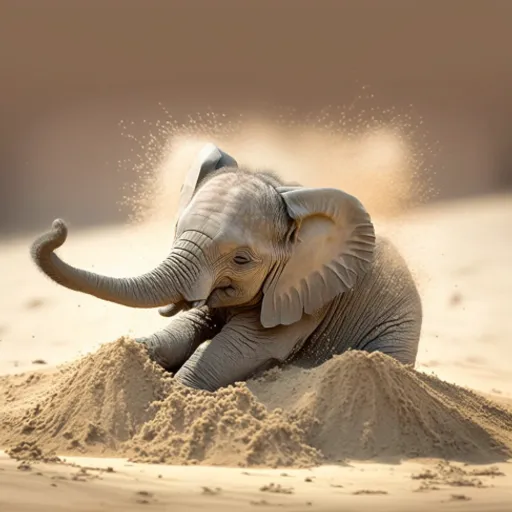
{"type": "Point", "coordinates": [98, 402]}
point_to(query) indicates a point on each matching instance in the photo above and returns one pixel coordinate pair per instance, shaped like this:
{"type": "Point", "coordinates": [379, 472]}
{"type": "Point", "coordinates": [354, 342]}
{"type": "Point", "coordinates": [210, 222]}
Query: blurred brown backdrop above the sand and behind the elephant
{"type": "Point", "coordinates": [88, 89]}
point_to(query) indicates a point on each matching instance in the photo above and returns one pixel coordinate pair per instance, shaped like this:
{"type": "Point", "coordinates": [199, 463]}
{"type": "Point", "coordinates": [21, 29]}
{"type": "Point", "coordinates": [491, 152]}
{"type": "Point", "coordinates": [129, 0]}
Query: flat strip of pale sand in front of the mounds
{"type": "Point", "coordinates": [329, 488]}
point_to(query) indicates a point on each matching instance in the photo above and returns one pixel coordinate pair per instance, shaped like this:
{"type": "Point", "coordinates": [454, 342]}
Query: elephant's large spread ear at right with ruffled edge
{"type": "Point", "coordinates": [331, 247]}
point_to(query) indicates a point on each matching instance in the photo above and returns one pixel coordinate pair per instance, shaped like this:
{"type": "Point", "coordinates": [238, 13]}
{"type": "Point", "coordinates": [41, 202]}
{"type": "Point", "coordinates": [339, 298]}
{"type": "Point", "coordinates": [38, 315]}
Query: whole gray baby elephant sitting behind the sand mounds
{"type": "Point", "coordinates": [271, 274]}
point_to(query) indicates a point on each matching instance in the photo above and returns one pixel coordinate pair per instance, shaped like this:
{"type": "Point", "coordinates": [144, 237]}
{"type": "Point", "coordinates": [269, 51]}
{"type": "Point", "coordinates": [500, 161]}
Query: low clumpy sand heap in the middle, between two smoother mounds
{"type": "Point", "coordinates": [227, 428]}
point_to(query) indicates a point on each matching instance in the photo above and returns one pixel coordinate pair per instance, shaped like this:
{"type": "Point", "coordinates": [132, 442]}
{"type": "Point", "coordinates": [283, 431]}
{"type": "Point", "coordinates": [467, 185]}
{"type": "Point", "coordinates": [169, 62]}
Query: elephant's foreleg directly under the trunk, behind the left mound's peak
{"type": "Point", "coordinates": [174, 344]}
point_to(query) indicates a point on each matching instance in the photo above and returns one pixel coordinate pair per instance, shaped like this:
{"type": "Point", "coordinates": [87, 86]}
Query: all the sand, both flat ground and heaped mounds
{"type": "Point", "coordinates": [360, 432]}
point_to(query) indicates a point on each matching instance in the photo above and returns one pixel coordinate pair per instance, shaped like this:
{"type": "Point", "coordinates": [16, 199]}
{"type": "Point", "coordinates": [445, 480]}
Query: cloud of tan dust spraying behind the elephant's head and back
{"type": "Point", "coordinates": [376, 155]}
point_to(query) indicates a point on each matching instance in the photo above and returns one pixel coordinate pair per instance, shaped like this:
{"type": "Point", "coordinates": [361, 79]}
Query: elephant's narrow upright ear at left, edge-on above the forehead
{"type": "Point", "coordinates": [210, 158]}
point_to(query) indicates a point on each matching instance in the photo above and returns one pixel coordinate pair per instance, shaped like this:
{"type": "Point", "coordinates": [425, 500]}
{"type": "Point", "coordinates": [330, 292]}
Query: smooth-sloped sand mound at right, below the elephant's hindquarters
{"type": "Point", "coordinates": [369, 405]}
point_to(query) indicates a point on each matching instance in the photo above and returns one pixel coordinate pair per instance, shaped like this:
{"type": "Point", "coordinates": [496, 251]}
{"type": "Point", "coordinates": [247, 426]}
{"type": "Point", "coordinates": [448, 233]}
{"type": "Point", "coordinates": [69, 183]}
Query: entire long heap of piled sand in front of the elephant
{"type": "Point", "coordinates": [357, 405]}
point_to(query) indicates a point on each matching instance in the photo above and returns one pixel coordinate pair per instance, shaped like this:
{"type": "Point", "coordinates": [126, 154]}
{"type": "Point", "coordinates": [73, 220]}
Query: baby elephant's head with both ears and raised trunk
{"type": "Point", "coordinates": [240, 238]}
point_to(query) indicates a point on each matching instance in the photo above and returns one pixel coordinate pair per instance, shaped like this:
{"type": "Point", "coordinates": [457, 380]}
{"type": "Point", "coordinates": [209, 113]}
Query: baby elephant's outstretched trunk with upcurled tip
{"type": "Point", "coordinates": [159, 287]}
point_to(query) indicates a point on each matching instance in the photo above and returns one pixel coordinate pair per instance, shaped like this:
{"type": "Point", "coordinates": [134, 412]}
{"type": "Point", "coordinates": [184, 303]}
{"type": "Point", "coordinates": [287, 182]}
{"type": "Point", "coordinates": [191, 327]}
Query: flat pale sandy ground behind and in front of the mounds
{"type": "Point", "coordinates": [460, 254]}
